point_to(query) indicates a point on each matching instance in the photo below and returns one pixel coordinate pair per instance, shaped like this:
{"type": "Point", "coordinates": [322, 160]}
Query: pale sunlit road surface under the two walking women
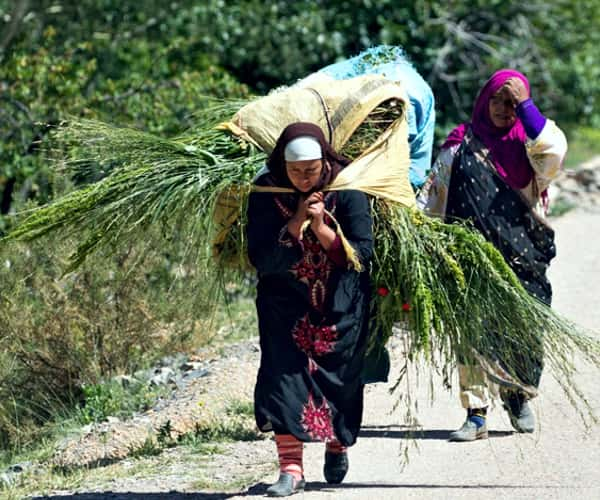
{"type": "Point", "coordinates": [560, 460]}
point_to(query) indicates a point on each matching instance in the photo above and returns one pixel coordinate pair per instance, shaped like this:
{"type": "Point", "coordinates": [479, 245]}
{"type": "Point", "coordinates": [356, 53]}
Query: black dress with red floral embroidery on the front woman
{"type": "Point", "coordinates": [313, 319]}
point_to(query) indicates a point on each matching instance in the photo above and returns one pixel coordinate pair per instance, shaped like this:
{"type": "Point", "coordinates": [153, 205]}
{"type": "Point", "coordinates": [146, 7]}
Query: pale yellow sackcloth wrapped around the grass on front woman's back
{"type": "Point", "coordinates": [381, 170]}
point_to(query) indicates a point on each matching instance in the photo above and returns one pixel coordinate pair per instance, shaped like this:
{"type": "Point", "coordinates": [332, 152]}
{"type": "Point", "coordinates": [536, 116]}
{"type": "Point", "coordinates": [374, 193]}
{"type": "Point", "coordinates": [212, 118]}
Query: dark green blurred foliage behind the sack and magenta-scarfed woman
{"type": "Point", "coordinates": [455, 45]}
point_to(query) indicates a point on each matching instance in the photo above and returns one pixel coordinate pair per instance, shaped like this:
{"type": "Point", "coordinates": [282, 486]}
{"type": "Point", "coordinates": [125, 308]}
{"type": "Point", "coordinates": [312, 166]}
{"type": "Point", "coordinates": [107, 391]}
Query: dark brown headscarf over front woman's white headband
{"type": "Point", "coordinates": [277, 175]}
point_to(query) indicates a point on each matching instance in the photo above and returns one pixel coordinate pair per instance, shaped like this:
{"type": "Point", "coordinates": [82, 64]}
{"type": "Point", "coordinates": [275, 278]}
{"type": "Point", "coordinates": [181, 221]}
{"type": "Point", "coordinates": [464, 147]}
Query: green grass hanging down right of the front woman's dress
{"type": "Point", "coordinates": [451, 288]}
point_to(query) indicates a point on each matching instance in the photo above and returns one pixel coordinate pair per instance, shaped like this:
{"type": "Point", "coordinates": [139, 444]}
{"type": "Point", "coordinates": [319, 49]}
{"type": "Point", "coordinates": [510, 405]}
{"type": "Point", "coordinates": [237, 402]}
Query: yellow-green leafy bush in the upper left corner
{"type": "Point", "coordinates": [108, 60]}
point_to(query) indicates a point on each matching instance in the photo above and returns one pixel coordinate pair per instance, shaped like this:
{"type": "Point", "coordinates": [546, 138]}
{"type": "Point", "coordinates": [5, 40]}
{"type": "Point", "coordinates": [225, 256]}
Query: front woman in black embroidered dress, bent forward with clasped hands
{"type": "Point", "coordinates": [312, 307]}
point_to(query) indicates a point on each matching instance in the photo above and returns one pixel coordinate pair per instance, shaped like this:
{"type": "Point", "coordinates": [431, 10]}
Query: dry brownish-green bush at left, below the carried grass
{"type": "Point", "coordinates": [60, 336]}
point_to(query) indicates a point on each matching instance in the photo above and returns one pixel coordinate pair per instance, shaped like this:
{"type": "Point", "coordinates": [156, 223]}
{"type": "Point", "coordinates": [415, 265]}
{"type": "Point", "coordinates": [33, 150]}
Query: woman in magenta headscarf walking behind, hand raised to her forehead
{"type": "Point", "coordinates": [494, 172]}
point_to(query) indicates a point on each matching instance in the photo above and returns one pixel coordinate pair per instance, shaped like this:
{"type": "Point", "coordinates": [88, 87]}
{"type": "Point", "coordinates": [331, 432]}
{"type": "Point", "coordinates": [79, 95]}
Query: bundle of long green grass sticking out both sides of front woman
{"type": "Point", "coordinates": [444, 281]}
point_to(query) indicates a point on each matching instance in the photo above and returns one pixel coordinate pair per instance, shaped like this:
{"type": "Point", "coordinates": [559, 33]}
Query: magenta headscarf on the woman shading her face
{"type": "Point", "coordinates": [506, 145]}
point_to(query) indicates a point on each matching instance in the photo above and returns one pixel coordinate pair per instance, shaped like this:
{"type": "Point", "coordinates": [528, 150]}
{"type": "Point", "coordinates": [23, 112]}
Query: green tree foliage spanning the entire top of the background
{"type": "Point", "coordinates": [148, 64]}
